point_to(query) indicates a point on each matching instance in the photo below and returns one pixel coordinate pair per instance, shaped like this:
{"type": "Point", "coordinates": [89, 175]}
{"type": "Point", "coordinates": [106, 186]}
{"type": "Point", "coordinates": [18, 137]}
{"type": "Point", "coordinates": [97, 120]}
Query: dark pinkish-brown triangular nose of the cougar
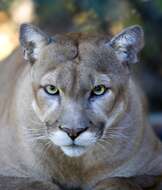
{"type": "Point", "coordinates": [73, 133]}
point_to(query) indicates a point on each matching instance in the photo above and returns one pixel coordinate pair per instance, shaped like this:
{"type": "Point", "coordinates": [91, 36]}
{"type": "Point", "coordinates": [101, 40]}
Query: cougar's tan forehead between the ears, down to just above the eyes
{"type": "Point", "coordinates": [73, 57]}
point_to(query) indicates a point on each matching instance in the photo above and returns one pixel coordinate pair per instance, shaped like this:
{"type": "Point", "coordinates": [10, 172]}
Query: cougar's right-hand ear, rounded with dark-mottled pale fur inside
{"type": "Point", "coordinates": [128, 43]}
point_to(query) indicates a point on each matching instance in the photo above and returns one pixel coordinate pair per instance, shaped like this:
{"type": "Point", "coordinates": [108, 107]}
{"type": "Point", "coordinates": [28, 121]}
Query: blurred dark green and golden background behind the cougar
{"type": "Point", "coordinates": [110, 16]}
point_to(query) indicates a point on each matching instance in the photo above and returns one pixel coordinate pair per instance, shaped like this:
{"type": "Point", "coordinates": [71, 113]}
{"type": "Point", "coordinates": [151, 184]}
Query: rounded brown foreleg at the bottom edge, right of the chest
{"type": "Point", "coordinates": [116, 184]}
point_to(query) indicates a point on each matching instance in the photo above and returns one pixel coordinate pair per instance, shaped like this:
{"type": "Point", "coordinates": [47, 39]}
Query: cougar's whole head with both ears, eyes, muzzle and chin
{"type": "Point", "coordinates": [79, 84]}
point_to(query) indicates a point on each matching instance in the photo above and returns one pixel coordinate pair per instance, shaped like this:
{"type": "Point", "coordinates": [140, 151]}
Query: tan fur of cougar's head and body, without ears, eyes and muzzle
{"type": "Point", "coordinates": [122, 156]}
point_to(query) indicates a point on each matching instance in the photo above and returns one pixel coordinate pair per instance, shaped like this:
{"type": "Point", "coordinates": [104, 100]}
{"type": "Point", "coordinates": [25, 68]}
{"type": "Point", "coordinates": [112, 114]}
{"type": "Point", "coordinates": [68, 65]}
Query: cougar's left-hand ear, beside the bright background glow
{"type": "Point", "coordinates": [32, 40]}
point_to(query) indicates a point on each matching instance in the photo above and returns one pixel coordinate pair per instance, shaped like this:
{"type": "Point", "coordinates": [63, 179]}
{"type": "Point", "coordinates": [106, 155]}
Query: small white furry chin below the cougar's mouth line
{"type": "Point", "coordinates": [73, 150]}
